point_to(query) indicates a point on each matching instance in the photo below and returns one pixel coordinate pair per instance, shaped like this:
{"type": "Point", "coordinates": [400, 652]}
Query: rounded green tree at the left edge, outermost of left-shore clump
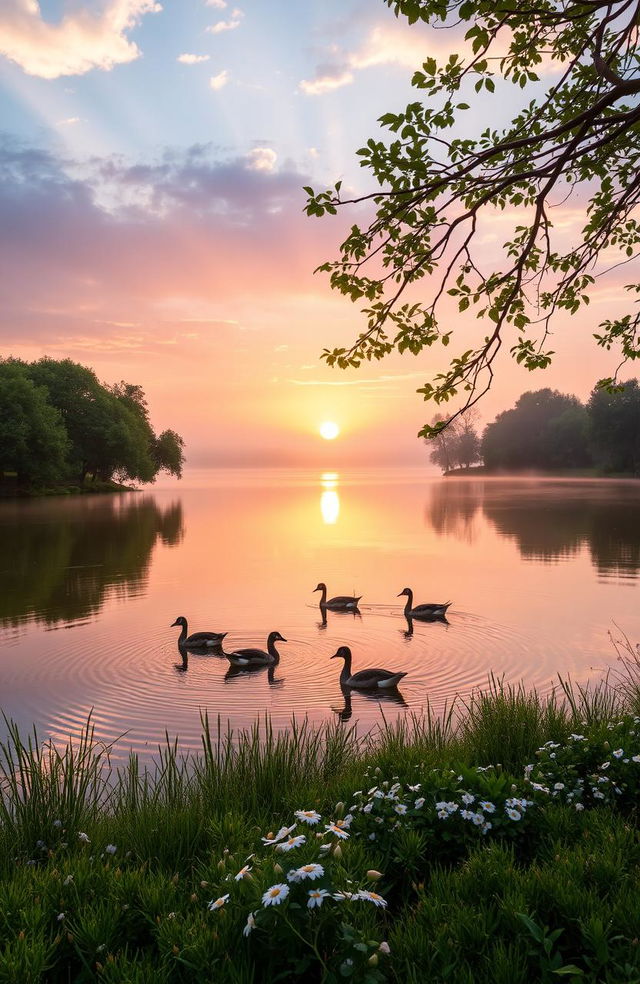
{"type": "Point", "coordinates": [33, 440]}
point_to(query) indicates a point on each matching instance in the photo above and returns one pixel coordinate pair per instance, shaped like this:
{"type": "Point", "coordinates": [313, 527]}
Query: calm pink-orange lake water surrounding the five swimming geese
{"type": "Point", "coordinates": [538, 571]}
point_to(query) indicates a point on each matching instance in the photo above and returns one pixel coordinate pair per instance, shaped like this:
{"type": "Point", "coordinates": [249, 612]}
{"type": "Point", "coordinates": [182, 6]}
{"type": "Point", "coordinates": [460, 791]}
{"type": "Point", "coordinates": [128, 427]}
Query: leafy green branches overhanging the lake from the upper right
{"type": "Point", "coordinates": [437, 190]}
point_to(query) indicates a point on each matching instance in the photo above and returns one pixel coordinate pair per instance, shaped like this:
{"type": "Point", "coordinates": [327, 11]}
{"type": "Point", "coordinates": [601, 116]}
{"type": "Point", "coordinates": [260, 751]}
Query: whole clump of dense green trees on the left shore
{"type": "Point", "coordinates": [60, 426]}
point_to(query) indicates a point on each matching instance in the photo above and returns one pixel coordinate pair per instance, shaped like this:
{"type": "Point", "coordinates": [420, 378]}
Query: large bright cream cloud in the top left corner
{"type": "Point", "coordinates": [82, 40]}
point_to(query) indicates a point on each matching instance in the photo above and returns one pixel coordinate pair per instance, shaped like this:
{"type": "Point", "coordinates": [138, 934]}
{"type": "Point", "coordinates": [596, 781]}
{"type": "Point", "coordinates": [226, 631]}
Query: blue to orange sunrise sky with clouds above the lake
{"type": "Point", "coordinates": [152, 161]}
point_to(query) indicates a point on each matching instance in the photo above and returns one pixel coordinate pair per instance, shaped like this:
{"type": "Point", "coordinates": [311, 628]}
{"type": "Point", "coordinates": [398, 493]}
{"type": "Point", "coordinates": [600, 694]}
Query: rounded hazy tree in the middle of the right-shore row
{"type": "Point", "coordinates": [545, 430]}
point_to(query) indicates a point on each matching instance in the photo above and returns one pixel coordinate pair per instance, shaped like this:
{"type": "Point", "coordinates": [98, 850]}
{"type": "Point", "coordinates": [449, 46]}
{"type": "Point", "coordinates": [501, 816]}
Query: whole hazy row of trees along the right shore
{"type": "Point", "coordinates": [550, 431]}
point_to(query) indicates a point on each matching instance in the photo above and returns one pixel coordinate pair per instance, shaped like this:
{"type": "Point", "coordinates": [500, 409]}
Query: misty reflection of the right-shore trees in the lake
{"type": "Point", "coordinates": [548, 521]}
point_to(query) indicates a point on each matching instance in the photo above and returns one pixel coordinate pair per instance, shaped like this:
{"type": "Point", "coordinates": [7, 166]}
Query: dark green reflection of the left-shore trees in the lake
{"type": "Point", "coordinates": [62, 559]}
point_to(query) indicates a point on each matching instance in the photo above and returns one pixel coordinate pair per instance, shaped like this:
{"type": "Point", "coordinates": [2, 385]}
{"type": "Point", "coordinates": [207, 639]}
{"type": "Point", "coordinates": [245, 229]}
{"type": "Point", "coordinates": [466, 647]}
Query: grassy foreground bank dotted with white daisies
{"type": "Point", "coordinates": [496, 844]}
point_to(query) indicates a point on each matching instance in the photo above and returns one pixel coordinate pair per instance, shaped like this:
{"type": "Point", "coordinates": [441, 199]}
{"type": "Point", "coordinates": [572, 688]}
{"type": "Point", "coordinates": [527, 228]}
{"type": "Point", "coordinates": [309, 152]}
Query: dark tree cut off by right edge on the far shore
{"type": "Point", "coordinates": [614, 420]}
